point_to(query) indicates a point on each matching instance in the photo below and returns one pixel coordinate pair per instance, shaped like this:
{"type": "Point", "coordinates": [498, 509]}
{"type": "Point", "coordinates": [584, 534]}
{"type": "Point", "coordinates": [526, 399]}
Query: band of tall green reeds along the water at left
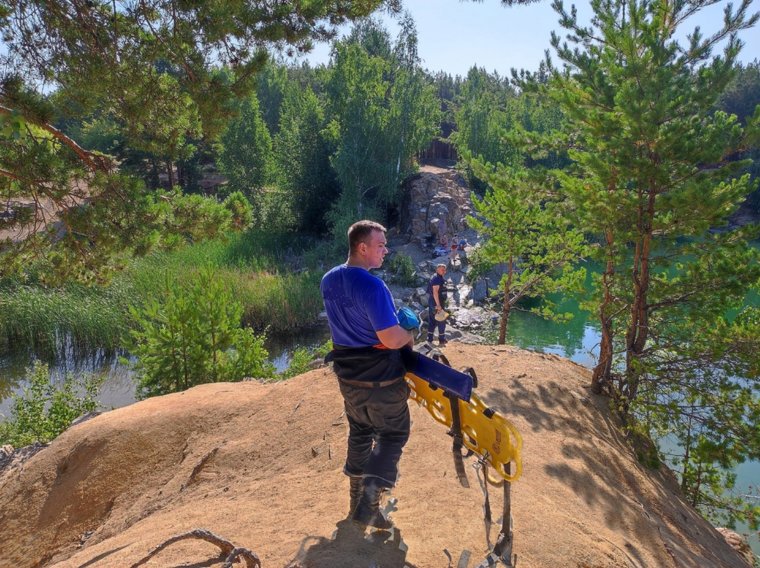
{"type": "Point", "coordinates": [264, 271]}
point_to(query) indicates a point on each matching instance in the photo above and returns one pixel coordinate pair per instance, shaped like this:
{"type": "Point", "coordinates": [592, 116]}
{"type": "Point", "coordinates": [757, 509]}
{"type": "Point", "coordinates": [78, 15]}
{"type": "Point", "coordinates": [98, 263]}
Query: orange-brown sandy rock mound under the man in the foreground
{"type": "Point", "coordinates": [260, 465]}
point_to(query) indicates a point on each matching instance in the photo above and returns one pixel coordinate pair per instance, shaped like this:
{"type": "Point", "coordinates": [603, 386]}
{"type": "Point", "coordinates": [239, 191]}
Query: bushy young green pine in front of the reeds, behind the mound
{"type": "Point", "coordinates": [193, 336]}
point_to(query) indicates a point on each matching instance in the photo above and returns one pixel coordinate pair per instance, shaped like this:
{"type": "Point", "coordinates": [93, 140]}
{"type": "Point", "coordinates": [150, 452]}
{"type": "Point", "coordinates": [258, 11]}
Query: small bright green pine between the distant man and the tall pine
{"type": "Point", "coordinates": [526, 229]}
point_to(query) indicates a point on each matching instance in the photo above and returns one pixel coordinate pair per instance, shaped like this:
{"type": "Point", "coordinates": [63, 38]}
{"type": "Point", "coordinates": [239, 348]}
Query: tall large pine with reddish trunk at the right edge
{"type": "Point", "coordinates": [650, 181]}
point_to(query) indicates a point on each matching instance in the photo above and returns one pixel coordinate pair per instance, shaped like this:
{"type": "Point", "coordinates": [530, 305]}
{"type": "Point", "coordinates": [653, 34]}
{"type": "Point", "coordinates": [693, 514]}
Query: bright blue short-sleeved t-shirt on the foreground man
{"type": "Point", "coordinates": [358, 305]}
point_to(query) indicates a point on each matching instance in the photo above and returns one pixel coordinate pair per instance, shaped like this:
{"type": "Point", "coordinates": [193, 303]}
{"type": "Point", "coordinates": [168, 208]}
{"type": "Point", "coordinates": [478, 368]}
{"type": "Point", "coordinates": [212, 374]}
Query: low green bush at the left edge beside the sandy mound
{"type": "Point", "coordinates": [45, 409]}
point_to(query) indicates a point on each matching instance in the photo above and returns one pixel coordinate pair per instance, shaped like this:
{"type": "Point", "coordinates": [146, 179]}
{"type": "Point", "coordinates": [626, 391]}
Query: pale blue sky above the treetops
{"type": "Point", "coordinates": [454, 35]}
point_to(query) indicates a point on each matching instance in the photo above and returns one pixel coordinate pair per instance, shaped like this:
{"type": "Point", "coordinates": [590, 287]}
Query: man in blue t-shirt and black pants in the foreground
{"type": "Point", "coordinates": [366, 357]}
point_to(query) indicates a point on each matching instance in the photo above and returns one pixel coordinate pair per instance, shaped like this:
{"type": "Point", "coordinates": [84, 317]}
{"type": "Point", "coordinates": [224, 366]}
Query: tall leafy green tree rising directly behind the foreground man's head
{"type": "Point", "coordinates": [383, 115]}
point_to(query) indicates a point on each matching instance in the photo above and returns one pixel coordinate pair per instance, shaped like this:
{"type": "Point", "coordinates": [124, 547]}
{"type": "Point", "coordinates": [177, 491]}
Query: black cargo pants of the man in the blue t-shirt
{"type": "Point", "coordinates": [378, 421]}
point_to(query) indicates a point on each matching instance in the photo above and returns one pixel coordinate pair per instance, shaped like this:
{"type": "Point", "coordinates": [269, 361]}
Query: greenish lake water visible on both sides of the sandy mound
{"type": "Point", "coordinates": [577, 340]}
